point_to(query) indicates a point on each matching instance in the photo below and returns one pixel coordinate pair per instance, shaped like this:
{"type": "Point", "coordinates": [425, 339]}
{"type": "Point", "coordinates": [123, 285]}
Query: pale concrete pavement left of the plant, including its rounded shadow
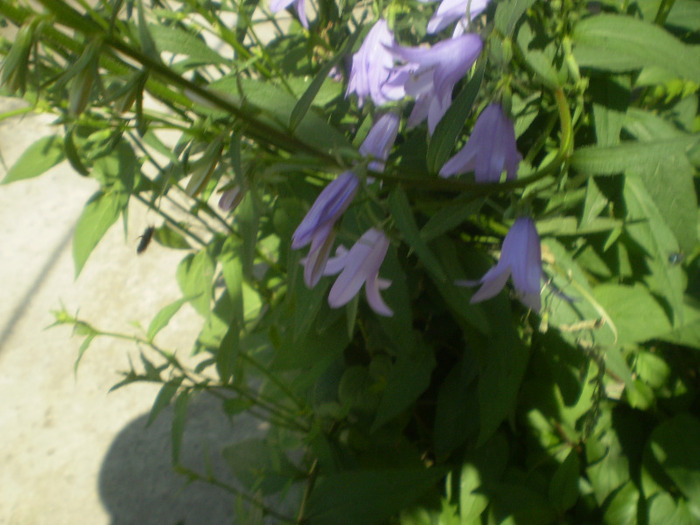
{"type": "Point", "coordinates": [70, 452]}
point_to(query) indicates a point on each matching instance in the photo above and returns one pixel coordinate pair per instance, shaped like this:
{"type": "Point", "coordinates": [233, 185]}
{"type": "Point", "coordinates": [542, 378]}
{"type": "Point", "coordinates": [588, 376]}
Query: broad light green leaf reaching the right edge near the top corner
{"type": "Point", "coordinates": [622, 43]}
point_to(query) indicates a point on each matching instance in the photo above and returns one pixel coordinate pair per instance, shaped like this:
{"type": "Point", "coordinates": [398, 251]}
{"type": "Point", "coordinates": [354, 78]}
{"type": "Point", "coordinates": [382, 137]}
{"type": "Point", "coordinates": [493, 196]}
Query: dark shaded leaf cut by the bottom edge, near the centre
{"type": "Point", "coordinates": [367, 496]}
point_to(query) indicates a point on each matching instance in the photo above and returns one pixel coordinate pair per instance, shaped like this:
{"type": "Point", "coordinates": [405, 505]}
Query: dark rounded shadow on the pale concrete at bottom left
{"type": "Point", "coordinates": [138, 485]}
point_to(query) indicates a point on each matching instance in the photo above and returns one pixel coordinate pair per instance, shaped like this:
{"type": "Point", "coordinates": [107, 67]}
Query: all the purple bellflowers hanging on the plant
{"type": "Point", "coordinates": [384, 72]}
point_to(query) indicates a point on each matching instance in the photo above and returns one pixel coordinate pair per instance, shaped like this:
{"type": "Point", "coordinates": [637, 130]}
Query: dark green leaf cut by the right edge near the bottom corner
{"type": "Point", "coordinates": [675, 446]}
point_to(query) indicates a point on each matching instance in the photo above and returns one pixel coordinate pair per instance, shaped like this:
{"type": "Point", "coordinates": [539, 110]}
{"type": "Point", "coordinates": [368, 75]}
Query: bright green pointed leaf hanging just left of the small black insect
{"type": "Point", "coordinates": [99, 214]}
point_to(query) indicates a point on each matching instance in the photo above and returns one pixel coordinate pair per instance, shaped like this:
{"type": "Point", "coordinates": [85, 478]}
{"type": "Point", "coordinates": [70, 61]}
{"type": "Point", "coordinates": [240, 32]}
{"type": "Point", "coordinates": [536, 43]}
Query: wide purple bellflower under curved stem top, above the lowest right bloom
{"type": "Point", "coordinates": [491, 148]}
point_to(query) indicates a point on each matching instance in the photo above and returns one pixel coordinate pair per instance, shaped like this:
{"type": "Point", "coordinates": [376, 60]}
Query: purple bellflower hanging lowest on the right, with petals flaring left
{"type": "Point", "coordinates": [521, 257]}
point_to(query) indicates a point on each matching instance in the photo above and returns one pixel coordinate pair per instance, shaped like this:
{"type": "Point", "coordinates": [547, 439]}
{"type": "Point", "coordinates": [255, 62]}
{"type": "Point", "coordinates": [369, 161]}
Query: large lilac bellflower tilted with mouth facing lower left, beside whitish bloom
{"type": "Point", "coordinates": [430, 75]}
